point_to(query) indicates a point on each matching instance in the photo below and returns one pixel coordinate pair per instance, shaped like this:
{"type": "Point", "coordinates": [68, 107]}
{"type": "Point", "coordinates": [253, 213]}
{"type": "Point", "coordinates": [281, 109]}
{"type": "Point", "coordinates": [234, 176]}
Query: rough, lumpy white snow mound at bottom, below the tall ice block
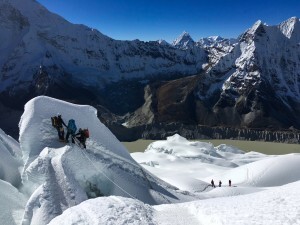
{"type": "Point", "coordinates": [111, 210]}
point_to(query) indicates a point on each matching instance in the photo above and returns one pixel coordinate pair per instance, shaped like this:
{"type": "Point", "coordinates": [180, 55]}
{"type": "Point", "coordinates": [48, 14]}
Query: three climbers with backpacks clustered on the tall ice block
{"type": "Point", "coordinates": [81, 136]}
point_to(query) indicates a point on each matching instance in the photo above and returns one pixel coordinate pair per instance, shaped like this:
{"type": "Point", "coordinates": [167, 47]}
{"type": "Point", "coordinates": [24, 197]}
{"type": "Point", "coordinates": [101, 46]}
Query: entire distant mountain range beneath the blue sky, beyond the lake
{"type": "Point", "coordinates": [251, 82]}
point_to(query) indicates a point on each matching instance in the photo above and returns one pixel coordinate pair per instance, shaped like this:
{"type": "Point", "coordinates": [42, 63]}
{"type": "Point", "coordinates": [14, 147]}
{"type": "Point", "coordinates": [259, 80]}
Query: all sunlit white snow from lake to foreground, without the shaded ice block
{"type": "Point", "coordinates": [271, 200]}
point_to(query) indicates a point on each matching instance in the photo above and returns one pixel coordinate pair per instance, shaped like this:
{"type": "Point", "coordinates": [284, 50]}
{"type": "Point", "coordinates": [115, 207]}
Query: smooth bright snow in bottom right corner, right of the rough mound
{"type": "Point", "coordinates": [277, 206]}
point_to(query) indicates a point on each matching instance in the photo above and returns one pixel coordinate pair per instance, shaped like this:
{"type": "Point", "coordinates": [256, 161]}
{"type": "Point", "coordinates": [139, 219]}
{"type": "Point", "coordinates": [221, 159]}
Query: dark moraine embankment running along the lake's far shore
{"type": "Point", "coordinates": [163, 130]}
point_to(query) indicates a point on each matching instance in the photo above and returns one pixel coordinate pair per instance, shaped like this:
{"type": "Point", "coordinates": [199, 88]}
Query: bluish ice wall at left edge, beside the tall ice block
{"type": "Point", "coordinates": [10, 160]}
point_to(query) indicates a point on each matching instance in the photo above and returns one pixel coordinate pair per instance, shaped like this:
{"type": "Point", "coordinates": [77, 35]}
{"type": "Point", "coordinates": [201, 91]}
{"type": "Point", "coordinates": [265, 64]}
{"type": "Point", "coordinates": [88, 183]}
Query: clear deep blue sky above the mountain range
{"type": "Point", "coordinates": [163, 19]}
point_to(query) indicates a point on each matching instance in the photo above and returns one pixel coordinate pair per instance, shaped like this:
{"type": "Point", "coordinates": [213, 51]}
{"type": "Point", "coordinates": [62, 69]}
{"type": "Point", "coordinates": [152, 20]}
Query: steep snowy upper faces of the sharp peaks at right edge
{"type": "Point", "coordinates": [262, 58]}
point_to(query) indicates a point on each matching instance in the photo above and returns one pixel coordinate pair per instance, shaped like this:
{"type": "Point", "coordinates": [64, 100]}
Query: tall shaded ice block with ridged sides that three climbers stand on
{"type": "Point", "coordinates": [59, 175]}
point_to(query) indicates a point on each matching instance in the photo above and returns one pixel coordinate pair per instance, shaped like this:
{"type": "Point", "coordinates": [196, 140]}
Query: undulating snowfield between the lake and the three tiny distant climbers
{"type": "Point", "coordinates": [169, 157]}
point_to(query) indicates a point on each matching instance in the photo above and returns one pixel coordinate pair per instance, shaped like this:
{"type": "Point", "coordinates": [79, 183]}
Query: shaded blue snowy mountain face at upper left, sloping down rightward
{"type": "Point", "coordinates": [82, 54]}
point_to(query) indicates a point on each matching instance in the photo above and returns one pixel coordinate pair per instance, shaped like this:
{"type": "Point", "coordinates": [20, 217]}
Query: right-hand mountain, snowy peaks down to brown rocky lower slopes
{"type": "Point", "coordinates": [254, 83]}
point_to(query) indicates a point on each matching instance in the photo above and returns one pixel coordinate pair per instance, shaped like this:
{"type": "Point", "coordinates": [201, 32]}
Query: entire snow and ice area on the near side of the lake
{"type": "Point", "coordinates": [168, 183]}
